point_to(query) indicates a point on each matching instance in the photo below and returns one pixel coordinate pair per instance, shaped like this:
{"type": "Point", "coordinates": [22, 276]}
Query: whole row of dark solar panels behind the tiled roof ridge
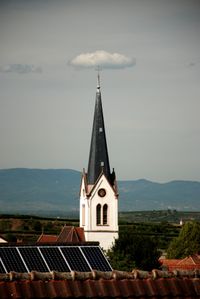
{"type": "Point", "coordinates": [52, 258]}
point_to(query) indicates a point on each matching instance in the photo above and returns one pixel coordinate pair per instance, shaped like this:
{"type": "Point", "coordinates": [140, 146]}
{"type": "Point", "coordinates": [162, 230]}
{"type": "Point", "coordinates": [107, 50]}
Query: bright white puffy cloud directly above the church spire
{"type": "Point", "coordinates": [103, 59]}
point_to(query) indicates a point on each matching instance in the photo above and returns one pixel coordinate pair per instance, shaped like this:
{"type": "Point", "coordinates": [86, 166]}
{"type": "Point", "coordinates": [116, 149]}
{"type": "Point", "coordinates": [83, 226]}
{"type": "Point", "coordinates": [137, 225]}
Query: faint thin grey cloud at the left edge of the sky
{"type": "Point", "coordinates": [20, 68]}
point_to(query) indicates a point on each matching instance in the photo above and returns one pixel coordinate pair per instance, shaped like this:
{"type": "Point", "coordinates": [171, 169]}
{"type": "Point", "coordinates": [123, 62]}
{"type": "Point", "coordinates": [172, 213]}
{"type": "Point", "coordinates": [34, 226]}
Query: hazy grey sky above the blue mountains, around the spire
{"type": "Point", "coordinates": [150, 94]}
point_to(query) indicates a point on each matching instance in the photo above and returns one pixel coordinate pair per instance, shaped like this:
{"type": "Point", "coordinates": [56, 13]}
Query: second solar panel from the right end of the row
{"type": "Point", "coordinates": [75, 259]}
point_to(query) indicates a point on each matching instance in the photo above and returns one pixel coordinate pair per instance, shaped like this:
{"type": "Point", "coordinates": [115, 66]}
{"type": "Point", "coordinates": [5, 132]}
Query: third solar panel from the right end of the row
{"type": "Point", "coordinates": [54, 259]}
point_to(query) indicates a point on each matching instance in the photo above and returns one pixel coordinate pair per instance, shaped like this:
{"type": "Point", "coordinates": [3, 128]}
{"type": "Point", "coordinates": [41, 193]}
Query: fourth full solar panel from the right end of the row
{"type": "Point", "coordinates": [33, 259]}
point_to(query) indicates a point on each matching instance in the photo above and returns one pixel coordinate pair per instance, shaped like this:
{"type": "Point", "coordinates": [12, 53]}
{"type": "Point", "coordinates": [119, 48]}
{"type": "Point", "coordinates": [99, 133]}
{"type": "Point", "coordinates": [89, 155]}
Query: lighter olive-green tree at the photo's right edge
{"type": "Point", "coordinates": [187, 243]}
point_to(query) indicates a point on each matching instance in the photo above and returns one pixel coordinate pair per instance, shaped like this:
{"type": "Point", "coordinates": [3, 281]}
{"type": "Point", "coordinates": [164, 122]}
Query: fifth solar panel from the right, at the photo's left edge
{"type": "Point", "coordinates": [11, 260]}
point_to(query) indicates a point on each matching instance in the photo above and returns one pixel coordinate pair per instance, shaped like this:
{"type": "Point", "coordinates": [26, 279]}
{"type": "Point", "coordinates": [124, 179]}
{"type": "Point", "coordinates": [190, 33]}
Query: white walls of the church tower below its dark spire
{"type": "Point", "coordinates": [99, 213]}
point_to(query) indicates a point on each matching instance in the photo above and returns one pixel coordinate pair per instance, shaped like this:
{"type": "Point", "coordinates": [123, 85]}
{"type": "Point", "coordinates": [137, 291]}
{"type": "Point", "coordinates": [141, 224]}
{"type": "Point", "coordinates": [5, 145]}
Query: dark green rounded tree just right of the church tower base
{"type": "Point", "coordinates": [132, 250]}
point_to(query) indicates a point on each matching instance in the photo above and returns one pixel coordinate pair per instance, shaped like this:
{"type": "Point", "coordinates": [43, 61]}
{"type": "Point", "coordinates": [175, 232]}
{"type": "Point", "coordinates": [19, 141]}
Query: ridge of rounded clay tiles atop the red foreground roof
{"type": "Point", "coordinates": [96, 275]}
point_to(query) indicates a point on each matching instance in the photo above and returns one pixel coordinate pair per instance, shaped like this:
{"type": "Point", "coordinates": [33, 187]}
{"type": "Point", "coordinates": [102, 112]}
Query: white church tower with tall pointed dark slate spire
{"type": "Point", "coordinates": [98, 193]}
